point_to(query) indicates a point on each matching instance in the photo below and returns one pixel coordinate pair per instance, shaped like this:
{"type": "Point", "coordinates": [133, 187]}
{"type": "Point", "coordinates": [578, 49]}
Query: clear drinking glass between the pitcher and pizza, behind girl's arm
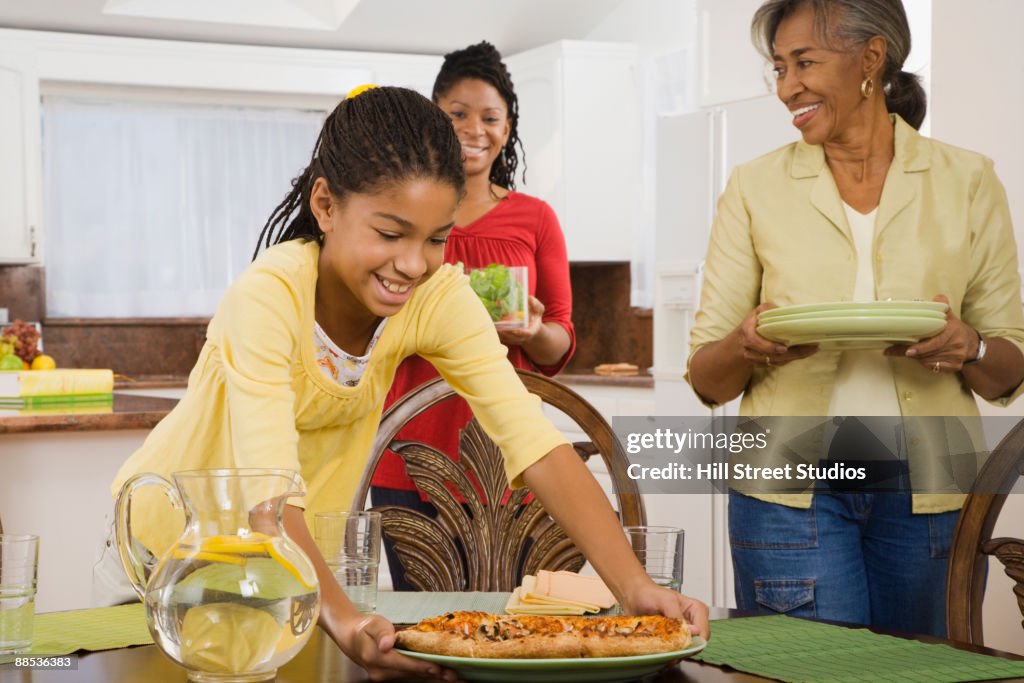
{"type": "Point", "coordinates": [351, 542]}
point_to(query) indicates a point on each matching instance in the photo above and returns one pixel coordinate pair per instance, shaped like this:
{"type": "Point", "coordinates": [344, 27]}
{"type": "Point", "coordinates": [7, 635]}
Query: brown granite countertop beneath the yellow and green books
{"type": "Point", "coordinates": [126, 413]}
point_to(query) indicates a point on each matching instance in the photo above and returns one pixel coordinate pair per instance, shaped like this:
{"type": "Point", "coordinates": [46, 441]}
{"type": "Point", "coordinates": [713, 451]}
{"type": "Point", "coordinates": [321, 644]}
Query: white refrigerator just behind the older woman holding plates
{"type": "Point", "coordinates": [697, 152]}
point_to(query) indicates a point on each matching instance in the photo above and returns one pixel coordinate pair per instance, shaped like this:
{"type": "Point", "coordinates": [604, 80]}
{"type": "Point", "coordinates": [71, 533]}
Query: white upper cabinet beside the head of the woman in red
{"type": "Point", "coordinates": [581, 126]}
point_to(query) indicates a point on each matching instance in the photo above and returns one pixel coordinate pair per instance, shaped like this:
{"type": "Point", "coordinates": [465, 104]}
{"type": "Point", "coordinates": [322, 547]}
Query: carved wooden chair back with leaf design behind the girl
{"type": "Point", "coordinates": [491, 540]}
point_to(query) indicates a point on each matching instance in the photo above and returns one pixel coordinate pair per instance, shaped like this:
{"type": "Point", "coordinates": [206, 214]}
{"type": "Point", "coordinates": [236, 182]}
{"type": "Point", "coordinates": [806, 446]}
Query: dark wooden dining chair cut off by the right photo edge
{"type": "Point", "coordinates": [973, 543]}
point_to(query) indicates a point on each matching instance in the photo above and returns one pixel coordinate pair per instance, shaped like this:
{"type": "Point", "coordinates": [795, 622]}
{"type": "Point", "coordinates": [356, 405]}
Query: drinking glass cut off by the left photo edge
{"type": "Point", "coordinates": [19, 569]}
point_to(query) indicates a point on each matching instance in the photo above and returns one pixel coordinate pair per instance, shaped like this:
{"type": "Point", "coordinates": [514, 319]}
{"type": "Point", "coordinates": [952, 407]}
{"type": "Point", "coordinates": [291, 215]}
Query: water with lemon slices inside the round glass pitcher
{"type": "Point", "coordinates": [240, 610]}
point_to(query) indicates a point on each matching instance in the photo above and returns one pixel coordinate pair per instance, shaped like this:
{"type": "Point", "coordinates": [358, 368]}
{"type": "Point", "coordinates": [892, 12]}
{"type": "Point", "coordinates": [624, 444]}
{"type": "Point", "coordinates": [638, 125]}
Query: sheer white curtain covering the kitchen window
{"type": "Point", "coordinates": [153, 209]}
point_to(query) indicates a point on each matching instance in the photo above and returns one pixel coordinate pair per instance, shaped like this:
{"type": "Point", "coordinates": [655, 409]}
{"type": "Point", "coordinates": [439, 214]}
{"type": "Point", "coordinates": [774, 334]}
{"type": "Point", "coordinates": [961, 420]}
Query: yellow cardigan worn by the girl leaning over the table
{"type": "Point", "coordinates": [258, 399]}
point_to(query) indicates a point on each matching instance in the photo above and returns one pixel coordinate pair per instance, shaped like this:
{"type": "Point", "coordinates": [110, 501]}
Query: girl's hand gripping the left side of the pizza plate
{"type": "Point", "coordinates": [368, 641]}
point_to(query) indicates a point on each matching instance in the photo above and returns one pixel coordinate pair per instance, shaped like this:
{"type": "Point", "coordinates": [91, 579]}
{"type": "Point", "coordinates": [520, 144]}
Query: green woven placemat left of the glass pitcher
{"type": "Point", "coordinates": [100, 629]}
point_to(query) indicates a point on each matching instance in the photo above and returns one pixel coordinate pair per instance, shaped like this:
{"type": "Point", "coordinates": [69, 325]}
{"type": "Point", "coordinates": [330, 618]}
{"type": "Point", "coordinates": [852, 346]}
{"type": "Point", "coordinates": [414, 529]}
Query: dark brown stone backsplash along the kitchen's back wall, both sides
{"type": "Point", "coordinates": [608, 329]}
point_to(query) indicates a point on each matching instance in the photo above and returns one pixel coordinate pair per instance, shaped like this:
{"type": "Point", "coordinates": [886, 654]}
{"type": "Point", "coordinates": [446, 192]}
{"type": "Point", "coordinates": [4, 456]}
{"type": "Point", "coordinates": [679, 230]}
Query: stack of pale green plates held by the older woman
{"type": "Point", "coordinates": [854, 325]}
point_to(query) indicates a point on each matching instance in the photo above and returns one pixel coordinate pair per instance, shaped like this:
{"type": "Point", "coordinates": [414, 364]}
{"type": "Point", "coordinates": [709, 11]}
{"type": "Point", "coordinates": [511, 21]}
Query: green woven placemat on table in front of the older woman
{"type": "Point", "coordinates": [798, 652]}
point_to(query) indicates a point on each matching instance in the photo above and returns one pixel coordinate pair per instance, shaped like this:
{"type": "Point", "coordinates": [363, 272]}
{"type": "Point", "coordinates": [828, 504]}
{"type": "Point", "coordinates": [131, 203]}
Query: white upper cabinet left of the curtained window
{"type": "Point", "coordinates": [20, 158]}
